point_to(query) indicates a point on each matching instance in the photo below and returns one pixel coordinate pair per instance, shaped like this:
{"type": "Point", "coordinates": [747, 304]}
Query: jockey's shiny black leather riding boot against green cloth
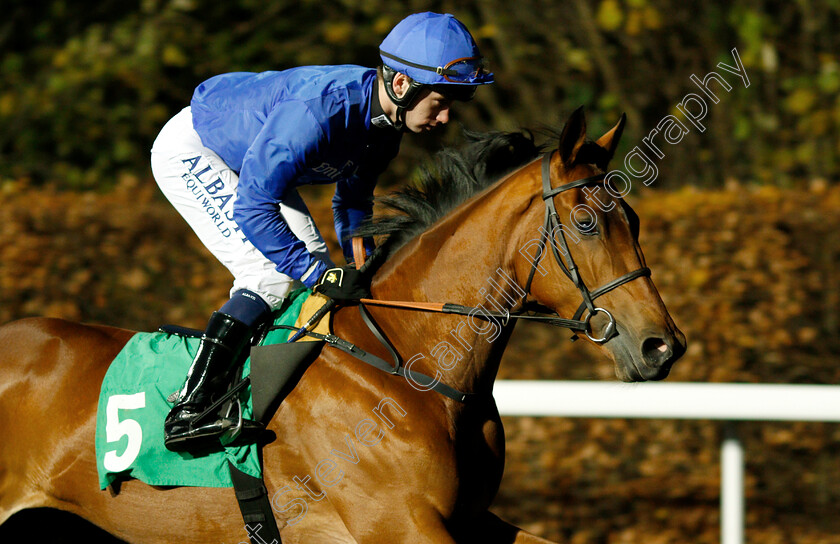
{"type": "Point", "coordinates": [219, 350]}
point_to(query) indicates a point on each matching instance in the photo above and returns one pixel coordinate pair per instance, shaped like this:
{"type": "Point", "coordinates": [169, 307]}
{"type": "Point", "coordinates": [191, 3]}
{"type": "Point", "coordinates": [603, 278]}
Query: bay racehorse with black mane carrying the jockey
{"type": "Point", "coordinates": [362, 456]}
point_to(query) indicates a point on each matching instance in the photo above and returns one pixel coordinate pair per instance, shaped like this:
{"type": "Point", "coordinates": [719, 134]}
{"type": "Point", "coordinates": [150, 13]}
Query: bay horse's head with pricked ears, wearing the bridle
{"type": "Point", "coordinates": [587, 261]}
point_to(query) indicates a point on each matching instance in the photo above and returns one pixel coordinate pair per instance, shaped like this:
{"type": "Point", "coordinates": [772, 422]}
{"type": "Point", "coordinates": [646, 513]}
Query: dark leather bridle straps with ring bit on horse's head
{"type": "Point", "coordinates": [553, 224]}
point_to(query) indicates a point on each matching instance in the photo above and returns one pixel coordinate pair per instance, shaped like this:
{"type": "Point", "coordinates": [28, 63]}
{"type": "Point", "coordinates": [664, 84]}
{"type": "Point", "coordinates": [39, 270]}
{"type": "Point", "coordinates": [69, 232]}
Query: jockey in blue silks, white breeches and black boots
{"type": "Point", "coordinates": [231, 163]}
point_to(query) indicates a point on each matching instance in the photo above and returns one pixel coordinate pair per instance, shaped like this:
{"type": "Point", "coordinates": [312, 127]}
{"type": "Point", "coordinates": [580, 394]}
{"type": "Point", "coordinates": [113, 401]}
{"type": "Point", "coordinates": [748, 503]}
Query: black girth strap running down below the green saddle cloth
{"type": "Point", "coordinates": [255, 506]}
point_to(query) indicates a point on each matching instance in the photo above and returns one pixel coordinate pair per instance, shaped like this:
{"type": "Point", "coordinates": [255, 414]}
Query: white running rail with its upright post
{"type": "Point", "coordinates": [666, 400]}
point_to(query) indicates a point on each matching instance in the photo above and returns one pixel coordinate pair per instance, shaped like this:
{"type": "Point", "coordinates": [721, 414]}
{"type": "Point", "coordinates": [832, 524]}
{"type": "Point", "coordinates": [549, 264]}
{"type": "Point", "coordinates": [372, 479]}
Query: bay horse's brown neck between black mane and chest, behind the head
{"type": "Point", "coordinates": [467, 258]}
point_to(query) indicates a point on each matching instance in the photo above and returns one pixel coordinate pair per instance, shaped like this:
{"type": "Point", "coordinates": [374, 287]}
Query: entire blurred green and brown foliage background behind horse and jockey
{"type": "Point", "coordinates": [740, 227]}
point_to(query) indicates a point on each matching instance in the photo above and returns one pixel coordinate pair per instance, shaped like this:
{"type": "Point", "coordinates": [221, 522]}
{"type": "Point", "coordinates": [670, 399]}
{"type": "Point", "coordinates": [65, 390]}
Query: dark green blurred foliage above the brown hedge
{"type": "Point", "coordinates": [85, 86]}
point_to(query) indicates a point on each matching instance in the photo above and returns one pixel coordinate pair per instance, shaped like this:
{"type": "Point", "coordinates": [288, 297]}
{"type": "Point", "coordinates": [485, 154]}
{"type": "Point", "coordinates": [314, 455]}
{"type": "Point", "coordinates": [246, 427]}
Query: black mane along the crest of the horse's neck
{"type": "Point", "coordinates": [453, 176]}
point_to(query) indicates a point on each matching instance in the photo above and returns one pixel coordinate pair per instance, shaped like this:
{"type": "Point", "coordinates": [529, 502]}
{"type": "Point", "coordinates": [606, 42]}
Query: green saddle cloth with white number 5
{"type": "Point", "coordinates": [133, 405]}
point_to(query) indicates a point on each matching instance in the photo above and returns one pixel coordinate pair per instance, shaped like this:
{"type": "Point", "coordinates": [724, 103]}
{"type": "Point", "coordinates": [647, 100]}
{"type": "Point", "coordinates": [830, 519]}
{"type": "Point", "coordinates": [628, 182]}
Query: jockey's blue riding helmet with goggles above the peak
{"type": "Point", "coordinates": [436, 50]}
